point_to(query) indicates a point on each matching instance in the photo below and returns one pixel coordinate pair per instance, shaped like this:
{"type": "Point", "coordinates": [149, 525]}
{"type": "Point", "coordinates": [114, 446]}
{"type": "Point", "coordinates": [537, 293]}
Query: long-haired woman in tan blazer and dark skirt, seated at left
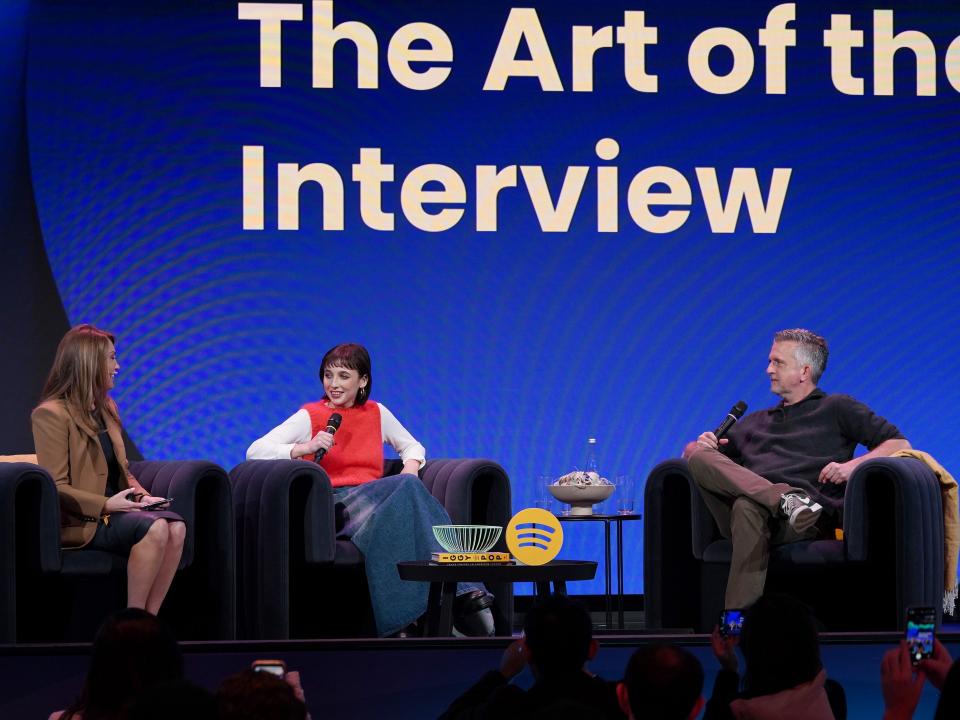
{"type": "Point", "coordinates": [77, 434]}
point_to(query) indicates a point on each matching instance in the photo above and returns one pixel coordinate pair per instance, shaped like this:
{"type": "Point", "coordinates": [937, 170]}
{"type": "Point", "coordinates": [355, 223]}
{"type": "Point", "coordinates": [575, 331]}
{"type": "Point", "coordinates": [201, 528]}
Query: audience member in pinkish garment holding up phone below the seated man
{"type": "Point", "coordinates": [783, 677]}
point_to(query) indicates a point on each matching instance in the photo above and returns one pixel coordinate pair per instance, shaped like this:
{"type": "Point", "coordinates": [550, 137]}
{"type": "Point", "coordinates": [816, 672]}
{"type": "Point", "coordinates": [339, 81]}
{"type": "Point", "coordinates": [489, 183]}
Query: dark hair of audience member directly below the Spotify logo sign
{"type": "Point", "coordinates": [558, 633]}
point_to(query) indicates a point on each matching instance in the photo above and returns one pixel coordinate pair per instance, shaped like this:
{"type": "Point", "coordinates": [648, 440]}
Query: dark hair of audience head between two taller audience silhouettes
{"type": "Point", "coordinates": [664, 682]}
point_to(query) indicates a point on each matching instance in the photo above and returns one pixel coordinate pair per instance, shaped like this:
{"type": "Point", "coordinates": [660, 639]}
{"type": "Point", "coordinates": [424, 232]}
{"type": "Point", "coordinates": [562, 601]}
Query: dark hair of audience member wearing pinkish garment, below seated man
{"type": "Point", "coordinates": [780, 644]}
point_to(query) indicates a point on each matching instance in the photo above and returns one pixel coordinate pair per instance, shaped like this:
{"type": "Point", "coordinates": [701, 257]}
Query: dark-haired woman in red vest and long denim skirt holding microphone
{"type": "Point", "coordinates": [390, 519]}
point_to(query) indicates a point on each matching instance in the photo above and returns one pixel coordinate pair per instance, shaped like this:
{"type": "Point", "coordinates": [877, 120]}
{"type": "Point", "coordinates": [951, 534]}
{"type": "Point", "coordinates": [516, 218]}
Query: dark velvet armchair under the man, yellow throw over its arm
{"type": "Point", "coordinates": [890, 558]}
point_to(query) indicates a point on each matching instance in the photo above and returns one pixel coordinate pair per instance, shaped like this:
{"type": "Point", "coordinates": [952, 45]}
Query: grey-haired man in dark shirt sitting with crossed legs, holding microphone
{"type": "Point", "coordinates": [780, 474]}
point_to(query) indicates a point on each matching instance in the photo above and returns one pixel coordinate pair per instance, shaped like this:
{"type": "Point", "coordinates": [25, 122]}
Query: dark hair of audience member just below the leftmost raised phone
{"type": "Point", "coordinates": [252, 695]}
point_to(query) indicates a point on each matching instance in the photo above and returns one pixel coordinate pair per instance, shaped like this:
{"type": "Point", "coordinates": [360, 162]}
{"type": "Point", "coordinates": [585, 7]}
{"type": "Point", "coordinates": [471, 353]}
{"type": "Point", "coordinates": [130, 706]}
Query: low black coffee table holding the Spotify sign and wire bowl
{"type": "Point", "coordinates": [443, 579]}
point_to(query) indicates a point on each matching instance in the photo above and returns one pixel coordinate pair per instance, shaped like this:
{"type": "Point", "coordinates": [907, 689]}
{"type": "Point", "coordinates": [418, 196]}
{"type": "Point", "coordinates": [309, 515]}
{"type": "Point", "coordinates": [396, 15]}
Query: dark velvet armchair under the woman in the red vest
{"type": "Point", "coordinates": [297, 580]}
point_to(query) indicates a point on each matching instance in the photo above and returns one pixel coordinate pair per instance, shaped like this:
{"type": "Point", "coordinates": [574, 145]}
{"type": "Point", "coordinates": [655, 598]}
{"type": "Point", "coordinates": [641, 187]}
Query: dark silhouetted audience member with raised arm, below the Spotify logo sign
{"type": "Point", "coordinates": [558, 641]}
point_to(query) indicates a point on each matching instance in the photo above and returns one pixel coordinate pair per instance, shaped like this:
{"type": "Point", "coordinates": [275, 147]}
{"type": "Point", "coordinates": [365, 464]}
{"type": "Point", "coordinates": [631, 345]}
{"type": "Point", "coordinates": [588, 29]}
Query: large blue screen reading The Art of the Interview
{"type": "Point", "coordinates": [547, 221]}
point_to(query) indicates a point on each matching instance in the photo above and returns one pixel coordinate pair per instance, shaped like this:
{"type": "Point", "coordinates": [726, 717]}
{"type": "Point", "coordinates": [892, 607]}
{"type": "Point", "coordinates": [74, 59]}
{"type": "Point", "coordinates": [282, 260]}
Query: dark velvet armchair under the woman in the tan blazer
{"type": "Point", "coordinates": [53, 595]}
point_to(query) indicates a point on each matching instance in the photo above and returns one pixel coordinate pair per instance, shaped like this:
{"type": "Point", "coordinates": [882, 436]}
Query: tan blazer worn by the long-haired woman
{"type": "Point", "coordinates": [73, 456]}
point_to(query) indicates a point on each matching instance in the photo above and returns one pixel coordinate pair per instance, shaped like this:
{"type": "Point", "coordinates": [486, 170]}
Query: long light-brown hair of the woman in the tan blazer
{"type": "Point", "coordinates": [80, 376]}
